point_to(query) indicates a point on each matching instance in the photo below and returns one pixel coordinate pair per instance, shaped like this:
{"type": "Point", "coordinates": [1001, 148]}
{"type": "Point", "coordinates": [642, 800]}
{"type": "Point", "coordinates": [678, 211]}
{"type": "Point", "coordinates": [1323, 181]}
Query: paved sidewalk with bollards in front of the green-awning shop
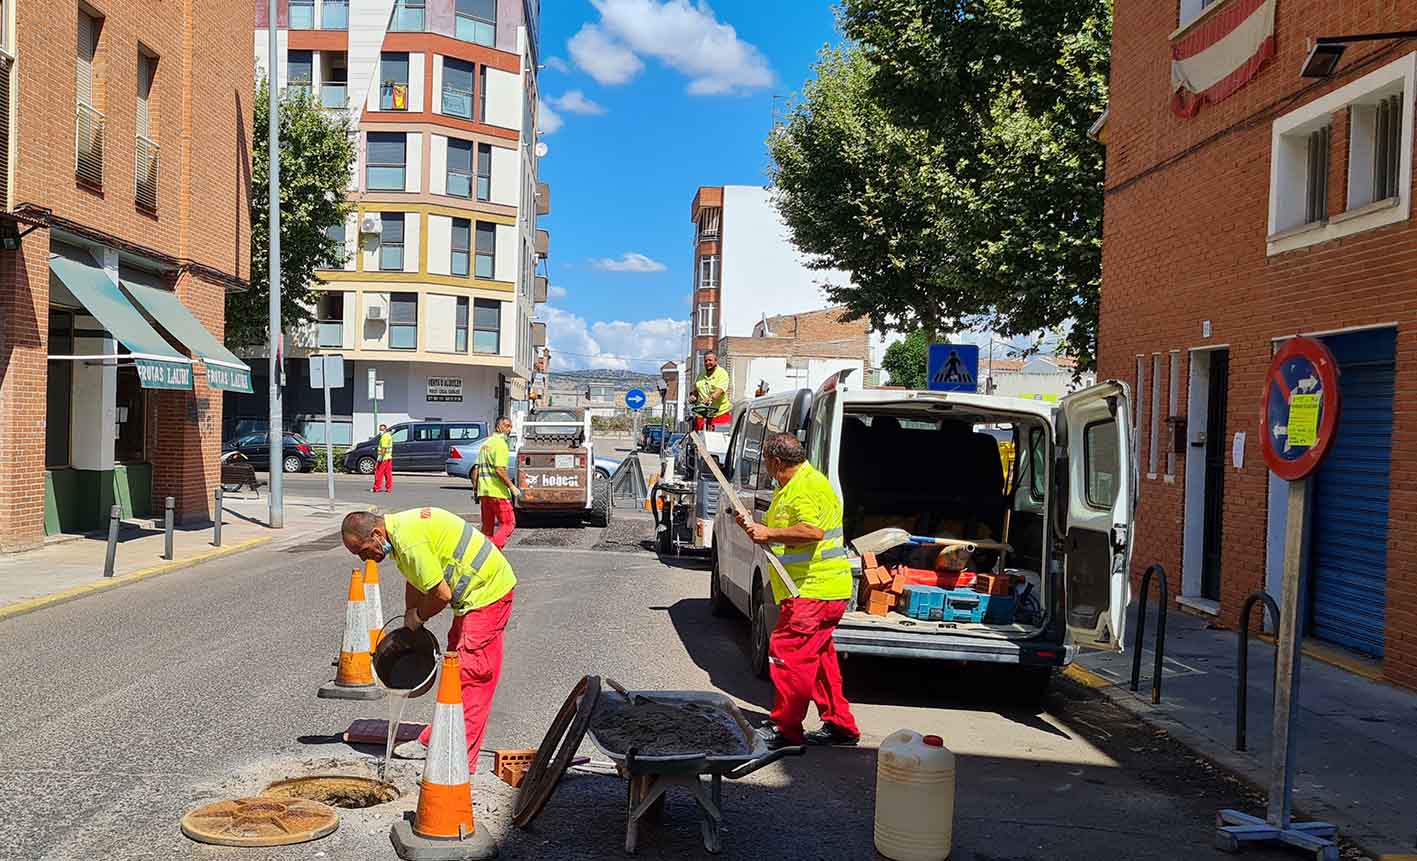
{"type": "Point", "coordinates": [69, 567]}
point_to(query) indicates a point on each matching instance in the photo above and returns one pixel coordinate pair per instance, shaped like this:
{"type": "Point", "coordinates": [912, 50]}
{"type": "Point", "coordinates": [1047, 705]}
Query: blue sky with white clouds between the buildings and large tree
{"type": "Point", "coordinates": [644, 101]}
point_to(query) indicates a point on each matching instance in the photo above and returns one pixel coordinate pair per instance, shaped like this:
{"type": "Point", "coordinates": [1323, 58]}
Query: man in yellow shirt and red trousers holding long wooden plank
{"type": "Point", "coordinates": [804, 530]}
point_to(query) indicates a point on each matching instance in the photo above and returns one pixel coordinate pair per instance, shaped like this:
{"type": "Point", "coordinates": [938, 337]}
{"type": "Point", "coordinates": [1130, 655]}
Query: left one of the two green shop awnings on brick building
{"type": "Point", "coordinates": [159, 366]}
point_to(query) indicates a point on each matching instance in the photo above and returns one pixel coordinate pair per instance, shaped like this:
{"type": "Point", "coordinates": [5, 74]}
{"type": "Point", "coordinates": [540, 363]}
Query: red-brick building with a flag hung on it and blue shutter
{"type": "Point", "coordinates": [1248, 205]}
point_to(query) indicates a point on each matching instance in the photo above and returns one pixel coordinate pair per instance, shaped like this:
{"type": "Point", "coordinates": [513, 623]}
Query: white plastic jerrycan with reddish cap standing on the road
{"type": "Point", "coordinates": [915, 798]}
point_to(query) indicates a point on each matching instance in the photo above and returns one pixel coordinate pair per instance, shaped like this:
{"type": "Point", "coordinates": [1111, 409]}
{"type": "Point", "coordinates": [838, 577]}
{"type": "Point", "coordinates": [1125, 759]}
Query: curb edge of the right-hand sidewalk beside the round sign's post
{"type": "Point", "coordinates": [1245, 767]}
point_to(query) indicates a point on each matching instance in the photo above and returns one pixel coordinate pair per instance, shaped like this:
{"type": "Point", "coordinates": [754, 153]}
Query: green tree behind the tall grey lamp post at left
{"type": "Point", "coordinates": [317, 161]}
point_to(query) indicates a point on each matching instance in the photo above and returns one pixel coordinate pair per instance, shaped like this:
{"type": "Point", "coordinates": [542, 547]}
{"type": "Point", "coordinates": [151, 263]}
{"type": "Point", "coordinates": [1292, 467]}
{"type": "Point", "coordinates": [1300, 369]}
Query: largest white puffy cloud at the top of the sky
{"type": "Point", "coordinates": [685, 36]}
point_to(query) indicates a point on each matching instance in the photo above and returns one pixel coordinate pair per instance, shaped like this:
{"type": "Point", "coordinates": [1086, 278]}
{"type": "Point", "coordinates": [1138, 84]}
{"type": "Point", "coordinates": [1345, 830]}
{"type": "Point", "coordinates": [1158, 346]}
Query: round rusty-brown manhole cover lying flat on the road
{"type": "Point", "coordinates": [260, 822]}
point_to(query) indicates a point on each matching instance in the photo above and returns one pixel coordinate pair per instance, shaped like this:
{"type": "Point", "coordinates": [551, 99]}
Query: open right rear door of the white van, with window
{"type": "Point", "coordinates": [1100, 503]}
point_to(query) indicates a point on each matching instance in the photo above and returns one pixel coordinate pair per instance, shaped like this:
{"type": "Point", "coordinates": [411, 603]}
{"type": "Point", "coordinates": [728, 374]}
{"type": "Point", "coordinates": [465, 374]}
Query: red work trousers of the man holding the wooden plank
{"type": "Point", "coordinates": [804, 668]}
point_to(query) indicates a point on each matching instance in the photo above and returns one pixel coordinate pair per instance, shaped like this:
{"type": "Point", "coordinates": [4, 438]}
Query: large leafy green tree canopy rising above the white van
{"type": "Point", "coordinates": [943, 159]}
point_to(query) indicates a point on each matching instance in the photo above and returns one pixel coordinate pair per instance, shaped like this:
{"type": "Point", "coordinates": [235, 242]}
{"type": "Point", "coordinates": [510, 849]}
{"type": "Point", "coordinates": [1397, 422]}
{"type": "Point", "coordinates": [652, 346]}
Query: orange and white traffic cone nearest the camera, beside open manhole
{"type": "Point", "coordinates": [443, 826]}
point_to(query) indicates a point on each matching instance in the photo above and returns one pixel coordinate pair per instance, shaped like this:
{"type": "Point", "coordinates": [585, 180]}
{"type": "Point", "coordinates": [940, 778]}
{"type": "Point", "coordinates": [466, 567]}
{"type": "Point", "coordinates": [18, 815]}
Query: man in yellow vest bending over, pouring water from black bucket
{"type": "Point", "coordinates": [447, 563]}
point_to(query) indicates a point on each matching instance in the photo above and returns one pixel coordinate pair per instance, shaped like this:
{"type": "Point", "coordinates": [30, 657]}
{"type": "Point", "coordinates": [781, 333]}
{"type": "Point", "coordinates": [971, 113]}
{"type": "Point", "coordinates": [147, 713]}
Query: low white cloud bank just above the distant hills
{"type": "Point", "coordinates": [643, 346]}
